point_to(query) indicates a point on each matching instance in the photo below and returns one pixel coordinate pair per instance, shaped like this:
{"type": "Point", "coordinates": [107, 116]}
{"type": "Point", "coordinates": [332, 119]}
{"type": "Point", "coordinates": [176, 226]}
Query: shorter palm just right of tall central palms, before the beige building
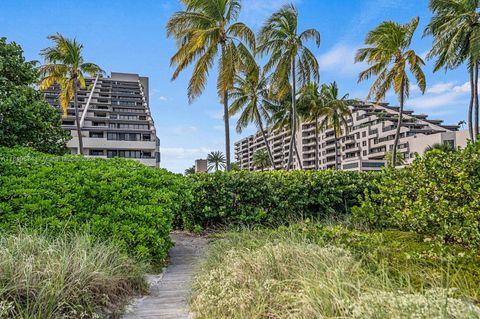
{"type": "Point", "coordinates": [336, 113]}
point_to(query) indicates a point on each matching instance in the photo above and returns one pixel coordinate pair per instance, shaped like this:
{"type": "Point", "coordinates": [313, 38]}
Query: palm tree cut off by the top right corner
{"type": "Point", "coordinates": [455, 27]}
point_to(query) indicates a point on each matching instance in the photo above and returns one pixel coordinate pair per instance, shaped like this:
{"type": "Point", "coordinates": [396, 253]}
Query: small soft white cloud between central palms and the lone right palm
{"type": "Point", "coordinates": [341, 59]}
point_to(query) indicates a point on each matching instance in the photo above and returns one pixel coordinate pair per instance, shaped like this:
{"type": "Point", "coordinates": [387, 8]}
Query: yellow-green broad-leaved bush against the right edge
{"type": "Point", "coordinates": [437, 195]}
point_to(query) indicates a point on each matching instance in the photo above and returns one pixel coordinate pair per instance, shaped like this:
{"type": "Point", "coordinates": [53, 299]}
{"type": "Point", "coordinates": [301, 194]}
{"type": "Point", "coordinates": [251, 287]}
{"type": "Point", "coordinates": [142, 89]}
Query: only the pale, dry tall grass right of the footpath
{"type": "Point", "coordinates": [265, 274]}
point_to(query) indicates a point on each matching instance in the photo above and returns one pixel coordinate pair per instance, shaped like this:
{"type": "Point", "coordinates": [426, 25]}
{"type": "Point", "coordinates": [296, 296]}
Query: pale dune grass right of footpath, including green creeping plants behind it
{"type": "Point", "coordinates": [324, 272]}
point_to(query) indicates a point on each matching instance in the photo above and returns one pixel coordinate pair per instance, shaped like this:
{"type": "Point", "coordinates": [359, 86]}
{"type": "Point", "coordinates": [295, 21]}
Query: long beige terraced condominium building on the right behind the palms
{"type": "Point", "coordinates": [362, 146]}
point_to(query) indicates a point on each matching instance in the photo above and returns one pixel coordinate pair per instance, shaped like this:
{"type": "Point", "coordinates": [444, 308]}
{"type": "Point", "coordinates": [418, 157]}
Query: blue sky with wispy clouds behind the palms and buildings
{"type": "Point", "coordinates": [129, 36]}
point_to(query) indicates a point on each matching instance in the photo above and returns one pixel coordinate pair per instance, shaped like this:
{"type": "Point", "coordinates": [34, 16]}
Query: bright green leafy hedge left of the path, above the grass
{"type": "Point", "coordinates": [115, 200]}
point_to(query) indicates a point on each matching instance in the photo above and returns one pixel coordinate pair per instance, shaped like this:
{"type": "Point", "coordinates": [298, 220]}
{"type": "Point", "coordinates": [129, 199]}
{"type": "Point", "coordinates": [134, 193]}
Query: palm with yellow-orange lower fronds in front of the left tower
{"type": "Point", "coordinates": [66, 67]}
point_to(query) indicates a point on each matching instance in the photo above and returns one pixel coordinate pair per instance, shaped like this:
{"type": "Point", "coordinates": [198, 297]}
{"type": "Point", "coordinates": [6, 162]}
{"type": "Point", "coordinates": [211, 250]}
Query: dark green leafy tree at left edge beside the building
{"type": "Point", "coordinates": [26, 118]}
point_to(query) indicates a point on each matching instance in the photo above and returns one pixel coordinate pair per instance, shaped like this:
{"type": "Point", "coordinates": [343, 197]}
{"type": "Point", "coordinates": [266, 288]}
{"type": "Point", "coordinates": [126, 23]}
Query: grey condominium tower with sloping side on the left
{"type": "Point", "coordinates": [115, 118]}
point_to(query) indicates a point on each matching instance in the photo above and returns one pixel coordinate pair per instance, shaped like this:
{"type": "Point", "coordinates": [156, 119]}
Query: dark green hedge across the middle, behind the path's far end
{"type": "Point", "coordinates": [271, 198]}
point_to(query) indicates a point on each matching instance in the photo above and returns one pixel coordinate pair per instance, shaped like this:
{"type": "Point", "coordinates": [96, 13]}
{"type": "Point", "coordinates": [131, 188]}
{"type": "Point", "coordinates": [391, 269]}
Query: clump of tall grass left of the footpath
{"type": "Point", "coordinates": [69, 276]}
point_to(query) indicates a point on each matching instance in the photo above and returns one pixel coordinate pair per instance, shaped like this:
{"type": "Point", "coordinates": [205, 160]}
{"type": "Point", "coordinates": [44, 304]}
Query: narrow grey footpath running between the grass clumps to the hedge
{"type": "Point", "coordinates": [169, 291]}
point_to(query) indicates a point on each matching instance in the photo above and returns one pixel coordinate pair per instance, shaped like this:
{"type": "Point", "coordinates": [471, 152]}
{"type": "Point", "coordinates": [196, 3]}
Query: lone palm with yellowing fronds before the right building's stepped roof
{"type": "Point", "coordinates": [388, 55]}
